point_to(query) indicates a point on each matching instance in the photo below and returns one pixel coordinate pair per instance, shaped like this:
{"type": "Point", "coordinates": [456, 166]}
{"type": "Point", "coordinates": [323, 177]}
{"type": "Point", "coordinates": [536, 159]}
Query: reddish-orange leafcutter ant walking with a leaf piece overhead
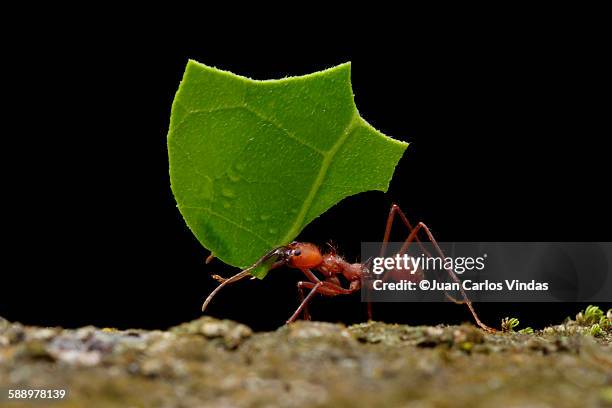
{"type": "Point", "coordinates": [307, 257]}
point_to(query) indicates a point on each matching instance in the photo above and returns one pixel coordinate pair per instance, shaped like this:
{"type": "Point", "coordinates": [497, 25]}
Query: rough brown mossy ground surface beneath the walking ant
{"type": "Point", "coordinates": [212, 363]}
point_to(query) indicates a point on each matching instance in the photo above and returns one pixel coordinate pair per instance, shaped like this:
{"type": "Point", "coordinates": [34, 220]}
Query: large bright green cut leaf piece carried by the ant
{"type": "Point", "coordinates": [253, 162]}
